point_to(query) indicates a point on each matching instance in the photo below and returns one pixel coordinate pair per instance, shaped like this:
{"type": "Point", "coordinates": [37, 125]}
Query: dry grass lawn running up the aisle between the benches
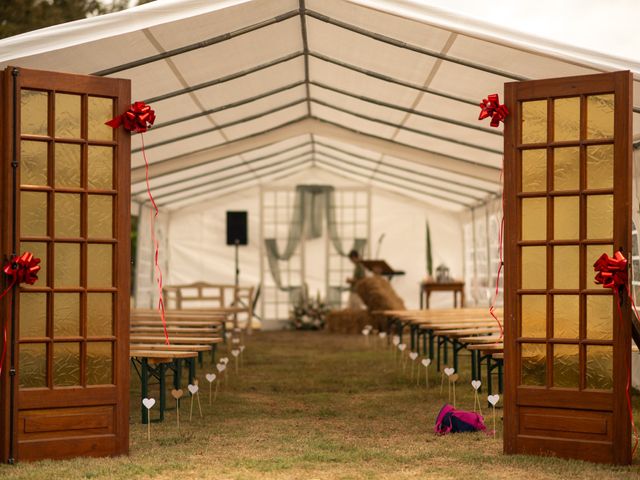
{"type": "Point", "coordinates": [311, 405]}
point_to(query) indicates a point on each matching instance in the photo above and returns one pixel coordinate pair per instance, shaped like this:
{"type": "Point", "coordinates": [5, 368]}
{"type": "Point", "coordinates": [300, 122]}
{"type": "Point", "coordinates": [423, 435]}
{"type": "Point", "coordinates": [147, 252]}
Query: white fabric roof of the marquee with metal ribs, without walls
{"type": "Point", "coordinates": [246, 91]}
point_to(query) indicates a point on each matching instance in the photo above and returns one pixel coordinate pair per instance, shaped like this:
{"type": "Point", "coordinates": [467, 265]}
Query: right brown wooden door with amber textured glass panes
{"type": "Point", "coordinates": [568, 200]}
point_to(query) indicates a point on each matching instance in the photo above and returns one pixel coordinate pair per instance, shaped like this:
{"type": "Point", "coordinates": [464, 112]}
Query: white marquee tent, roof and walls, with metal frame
{"type": "Point", "coordinates": [255, 94]}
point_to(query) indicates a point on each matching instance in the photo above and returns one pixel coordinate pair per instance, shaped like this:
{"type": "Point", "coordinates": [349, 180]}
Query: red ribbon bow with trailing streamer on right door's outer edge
{"type": "Point", "coordinates": [612, 273]}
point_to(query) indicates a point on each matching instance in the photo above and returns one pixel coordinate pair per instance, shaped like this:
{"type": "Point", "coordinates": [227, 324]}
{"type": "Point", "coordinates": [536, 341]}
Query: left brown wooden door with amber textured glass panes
{"type": "Point", "coordinates": [69, 205]}
